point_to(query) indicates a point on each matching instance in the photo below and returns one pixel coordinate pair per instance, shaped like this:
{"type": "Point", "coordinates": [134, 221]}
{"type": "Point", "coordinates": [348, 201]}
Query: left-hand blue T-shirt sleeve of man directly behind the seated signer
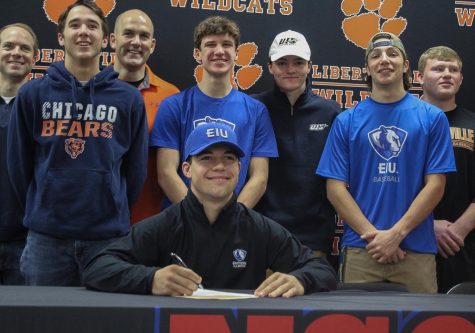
{"type": "Point", "coordinates": [166, 126]}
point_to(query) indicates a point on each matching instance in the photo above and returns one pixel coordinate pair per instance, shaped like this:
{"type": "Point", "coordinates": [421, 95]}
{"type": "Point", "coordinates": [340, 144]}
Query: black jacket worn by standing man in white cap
{"type": "Point", "coordinates": [295, 195]}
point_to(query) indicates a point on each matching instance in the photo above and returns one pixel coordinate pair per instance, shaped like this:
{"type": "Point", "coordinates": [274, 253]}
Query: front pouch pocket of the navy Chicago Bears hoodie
{"type": "Point", "coordinates": [79, 197]}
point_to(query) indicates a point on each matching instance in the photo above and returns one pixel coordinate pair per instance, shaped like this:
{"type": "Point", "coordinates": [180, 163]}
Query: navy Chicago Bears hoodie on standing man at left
{"type": "Point", "coordinates": [77, 155]}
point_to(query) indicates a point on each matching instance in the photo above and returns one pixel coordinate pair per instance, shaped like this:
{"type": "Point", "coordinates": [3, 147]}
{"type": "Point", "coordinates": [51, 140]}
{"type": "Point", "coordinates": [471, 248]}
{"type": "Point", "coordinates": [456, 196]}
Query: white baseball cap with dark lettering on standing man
{"type": "Point", "coordinates": [289, 43]}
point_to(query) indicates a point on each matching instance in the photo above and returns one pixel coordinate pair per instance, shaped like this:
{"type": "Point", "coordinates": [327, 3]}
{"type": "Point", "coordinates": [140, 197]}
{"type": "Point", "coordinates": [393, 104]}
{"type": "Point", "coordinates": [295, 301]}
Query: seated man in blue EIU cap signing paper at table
{"type": "Point", "coordinates": [225, 244]}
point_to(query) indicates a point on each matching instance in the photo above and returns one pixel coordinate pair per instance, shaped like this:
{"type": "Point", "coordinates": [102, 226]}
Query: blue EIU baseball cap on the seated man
{"type": "Point", "coordinates": [209, 134]}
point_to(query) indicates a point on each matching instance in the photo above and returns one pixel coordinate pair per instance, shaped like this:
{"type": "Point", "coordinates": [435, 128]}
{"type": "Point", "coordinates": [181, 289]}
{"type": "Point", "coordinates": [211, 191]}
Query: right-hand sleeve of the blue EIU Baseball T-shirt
{"type": "Point", "coordinates": [440, 155]}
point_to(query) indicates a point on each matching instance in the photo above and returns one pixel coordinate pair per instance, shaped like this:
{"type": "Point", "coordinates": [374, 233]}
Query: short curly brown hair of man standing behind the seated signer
{"type": "Point", "coordinates": [216, 25]}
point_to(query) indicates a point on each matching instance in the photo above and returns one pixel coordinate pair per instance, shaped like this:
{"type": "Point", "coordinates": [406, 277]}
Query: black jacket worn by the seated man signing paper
{"type": "Point", "coordinates": [232, 253]}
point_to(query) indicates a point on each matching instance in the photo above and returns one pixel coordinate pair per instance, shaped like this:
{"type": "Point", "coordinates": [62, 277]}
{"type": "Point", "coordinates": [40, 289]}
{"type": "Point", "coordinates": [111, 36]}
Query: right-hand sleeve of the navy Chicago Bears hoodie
{"type": "Point", "coordinates": [135, 161]}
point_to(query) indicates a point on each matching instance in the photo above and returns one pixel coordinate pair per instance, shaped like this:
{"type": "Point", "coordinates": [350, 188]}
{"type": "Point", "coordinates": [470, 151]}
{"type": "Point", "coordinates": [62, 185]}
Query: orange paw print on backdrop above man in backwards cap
{"type": "Point", "coordinates": [365, 18]}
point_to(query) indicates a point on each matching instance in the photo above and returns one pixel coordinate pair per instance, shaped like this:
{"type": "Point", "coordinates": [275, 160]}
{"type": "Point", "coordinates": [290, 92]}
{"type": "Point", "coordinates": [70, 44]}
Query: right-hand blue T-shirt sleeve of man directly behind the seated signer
{"type": "Point", "coordinates": [264, 144]}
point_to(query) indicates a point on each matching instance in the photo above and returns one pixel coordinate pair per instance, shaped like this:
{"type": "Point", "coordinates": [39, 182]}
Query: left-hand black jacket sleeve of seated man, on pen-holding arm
{"type": "Point", "coordinates": [129, 264]}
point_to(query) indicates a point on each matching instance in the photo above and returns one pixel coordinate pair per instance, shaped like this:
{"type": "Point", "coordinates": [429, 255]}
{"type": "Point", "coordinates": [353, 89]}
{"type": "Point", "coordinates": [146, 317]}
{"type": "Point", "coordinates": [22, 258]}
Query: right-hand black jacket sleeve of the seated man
{"type": "Point", "coordinates": [288, 255]}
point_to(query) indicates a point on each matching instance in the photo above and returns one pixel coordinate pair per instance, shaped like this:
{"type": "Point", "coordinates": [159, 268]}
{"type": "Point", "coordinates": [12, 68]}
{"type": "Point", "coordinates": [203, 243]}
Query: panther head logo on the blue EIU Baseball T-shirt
{"type": "Point", "coordinates": [387, 141]}
